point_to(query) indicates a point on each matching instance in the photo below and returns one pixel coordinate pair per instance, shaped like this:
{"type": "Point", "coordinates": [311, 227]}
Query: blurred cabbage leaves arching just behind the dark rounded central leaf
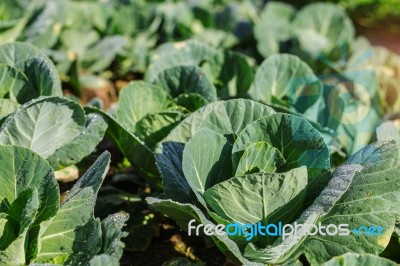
{"type": "Point", "coordinates": [231, 72]}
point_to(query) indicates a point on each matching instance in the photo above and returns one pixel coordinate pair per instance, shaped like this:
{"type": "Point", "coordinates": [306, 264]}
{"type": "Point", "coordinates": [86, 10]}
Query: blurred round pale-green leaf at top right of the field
{"type": "Point", "coordinates": [321, 27]}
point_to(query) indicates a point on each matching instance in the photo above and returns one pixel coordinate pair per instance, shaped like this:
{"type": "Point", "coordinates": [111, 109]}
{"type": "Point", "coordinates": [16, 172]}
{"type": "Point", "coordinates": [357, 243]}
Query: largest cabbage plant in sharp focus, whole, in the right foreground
{"type": "Point", "coordinates": [240, 161]}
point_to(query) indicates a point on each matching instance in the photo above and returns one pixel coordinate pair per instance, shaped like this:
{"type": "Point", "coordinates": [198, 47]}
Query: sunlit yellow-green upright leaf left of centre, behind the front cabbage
{"type": "Point", "coordinates": [137, 100]}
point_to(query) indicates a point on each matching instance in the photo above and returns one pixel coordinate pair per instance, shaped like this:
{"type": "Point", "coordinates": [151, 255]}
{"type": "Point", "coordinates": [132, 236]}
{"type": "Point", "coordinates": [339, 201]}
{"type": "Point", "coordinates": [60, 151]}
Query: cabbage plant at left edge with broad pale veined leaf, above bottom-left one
{"type": "Point", "coordinates": [33, 113]}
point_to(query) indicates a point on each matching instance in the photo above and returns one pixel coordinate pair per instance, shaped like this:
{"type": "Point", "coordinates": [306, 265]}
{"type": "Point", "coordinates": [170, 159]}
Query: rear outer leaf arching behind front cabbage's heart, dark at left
{"type": "Point", "coordinates": [226, 118]}
